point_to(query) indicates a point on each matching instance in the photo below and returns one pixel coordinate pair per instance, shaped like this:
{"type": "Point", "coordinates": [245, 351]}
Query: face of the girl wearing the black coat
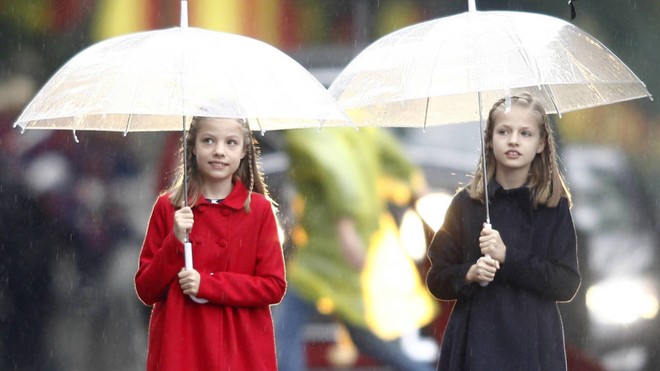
{"type": "Point", "coordinates": [516, 140]}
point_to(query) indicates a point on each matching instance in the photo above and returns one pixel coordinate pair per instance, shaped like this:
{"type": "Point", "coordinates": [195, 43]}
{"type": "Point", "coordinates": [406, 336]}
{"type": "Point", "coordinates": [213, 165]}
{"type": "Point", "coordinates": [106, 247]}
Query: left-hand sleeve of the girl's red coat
{"type": "Point", "coordinates": [161, 257]}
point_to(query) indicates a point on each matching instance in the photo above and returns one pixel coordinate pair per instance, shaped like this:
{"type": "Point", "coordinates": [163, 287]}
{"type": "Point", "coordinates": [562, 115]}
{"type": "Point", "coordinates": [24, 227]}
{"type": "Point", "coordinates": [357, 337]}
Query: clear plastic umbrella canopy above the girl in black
{"type": "Point", "coordinates": [441, 71]}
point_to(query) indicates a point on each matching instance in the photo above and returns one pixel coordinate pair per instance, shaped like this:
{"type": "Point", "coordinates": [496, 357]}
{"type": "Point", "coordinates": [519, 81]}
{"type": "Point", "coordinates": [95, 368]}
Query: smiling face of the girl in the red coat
{"type": "Point", "coordinates": [219, 148]}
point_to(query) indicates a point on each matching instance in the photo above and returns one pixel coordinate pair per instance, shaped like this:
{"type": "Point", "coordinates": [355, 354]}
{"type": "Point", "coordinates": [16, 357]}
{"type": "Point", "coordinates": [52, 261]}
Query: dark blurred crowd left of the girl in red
{"type": "Point", "coordinates": [72, 216]}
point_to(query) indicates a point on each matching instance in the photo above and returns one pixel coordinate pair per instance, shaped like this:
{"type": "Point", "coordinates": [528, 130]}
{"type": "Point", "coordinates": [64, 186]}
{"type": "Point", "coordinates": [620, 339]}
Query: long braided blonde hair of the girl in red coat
{"type": "Point", "coordinates": [249, 170]}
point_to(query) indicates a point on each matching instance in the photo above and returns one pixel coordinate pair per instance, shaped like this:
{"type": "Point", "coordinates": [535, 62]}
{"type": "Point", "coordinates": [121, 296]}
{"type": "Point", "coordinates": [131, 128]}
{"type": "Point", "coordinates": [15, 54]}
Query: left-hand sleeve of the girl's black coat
{"type": "Point", "coordinates": [446, 277]}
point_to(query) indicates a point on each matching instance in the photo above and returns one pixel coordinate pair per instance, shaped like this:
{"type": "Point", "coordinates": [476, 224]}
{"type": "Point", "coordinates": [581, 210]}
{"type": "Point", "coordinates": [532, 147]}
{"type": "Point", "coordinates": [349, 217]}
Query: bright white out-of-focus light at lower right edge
{"type": "Point", "coordinates": [622, 301]}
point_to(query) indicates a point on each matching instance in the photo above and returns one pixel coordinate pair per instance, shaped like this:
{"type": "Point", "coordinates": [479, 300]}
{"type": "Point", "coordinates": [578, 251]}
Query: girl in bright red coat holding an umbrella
{"type": "Point", "coordinates": [239, 266]}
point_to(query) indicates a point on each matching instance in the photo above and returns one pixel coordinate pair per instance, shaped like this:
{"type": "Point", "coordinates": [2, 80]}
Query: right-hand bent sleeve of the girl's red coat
{"type": "Point", "coordinates": [265, 286]}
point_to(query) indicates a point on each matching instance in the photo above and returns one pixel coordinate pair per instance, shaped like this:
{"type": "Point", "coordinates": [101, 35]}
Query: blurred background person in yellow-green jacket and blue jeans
{"type": "Point", "coordinates": [344, 178]}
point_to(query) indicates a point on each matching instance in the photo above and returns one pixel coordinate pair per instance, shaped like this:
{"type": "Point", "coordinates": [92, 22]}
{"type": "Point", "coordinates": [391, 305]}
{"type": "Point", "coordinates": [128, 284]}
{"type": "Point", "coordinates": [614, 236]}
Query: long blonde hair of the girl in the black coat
{"type": "Point", "coordinates": [545, 179]}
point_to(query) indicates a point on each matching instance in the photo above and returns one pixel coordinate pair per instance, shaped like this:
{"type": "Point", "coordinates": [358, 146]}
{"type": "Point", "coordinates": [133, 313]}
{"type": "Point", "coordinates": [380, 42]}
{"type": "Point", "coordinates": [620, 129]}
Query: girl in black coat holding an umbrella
{"type": "Point", "coordinates": [507, 279]}
